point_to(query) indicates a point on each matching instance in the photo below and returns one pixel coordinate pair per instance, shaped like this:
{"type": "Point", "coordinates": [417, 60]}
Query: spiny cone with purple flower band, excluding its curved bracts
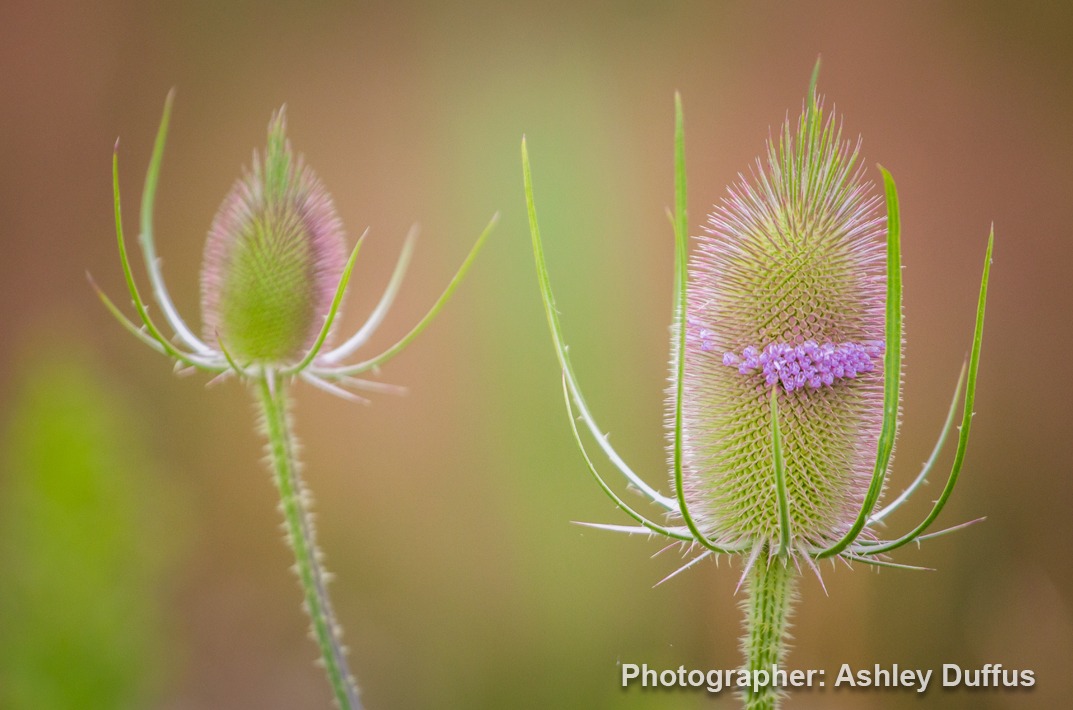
{"type": "Point", "coordinates": [787, 291]}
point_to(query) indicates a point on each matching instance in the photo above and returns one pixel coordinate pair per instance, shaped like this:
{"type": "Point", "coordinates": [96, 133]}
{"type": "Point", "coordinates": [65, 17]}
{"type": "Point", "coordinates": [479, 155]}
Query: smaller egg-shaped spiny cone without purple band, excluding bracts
{"type": "Point", "coordinates": [274, 259]}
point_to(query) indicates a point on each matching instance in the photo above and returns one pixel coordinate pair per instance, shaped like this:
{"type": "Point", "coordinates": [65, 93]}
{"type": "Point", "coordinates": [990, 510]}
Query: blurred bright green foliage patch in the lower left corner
{"type": "Point", "coordinates": [84, 546]}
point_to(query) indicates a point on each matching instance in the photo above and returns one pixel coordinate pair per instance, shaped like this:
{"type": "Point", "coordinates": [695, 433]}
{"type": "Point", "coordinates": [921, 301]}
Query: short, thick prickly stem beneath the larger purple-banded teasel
{"type": "Point", "coordinates": [772, 586]}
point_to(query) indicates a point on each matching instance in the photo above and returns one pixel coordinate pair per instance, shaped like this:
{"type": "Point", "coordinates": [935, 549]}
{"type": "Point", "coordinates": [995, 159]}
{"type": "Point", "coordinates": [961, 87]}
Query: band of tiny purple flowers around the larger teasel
{"type": "Point", "coordinates": [807, 365]}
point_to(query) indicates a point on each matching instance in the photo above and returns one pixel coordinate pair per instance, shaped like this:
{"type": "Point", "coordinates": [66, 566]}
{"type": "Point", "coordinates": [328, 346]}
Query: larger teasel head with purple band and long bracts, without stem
{"type": "Point", "coordinates": [786, 362]}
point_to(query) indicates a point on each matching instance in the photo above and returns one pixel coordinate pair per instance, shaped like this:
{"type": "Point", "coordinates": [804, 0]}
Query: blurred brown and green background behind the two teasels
{"type": "Point", "coordinates": [143, 563]}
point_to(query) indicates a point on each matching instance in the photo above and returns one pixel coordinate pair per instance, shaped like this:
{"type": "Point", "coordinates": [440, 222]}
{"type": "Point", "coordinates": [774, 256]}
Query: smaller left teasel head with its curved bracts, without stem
{"type": "Point", "coordinates": [274, 276]}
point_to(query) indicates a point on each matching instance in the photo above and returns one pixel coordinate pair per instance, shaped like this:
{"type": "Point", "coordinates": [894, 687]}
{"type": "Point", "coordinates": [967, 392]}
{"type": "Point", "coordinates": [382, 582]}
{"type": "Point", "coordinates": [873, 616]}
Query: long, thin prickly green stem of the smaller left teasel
{"type": "Point", "coordinates": [301, 536]}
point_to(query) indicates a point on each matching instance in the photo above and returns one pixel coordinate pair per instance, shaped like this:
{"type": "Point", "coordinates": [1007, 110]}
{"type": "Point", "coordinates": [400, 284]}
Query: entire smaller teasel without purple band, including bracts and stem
{"type": "Point", "coordinates": [274, 276]}
